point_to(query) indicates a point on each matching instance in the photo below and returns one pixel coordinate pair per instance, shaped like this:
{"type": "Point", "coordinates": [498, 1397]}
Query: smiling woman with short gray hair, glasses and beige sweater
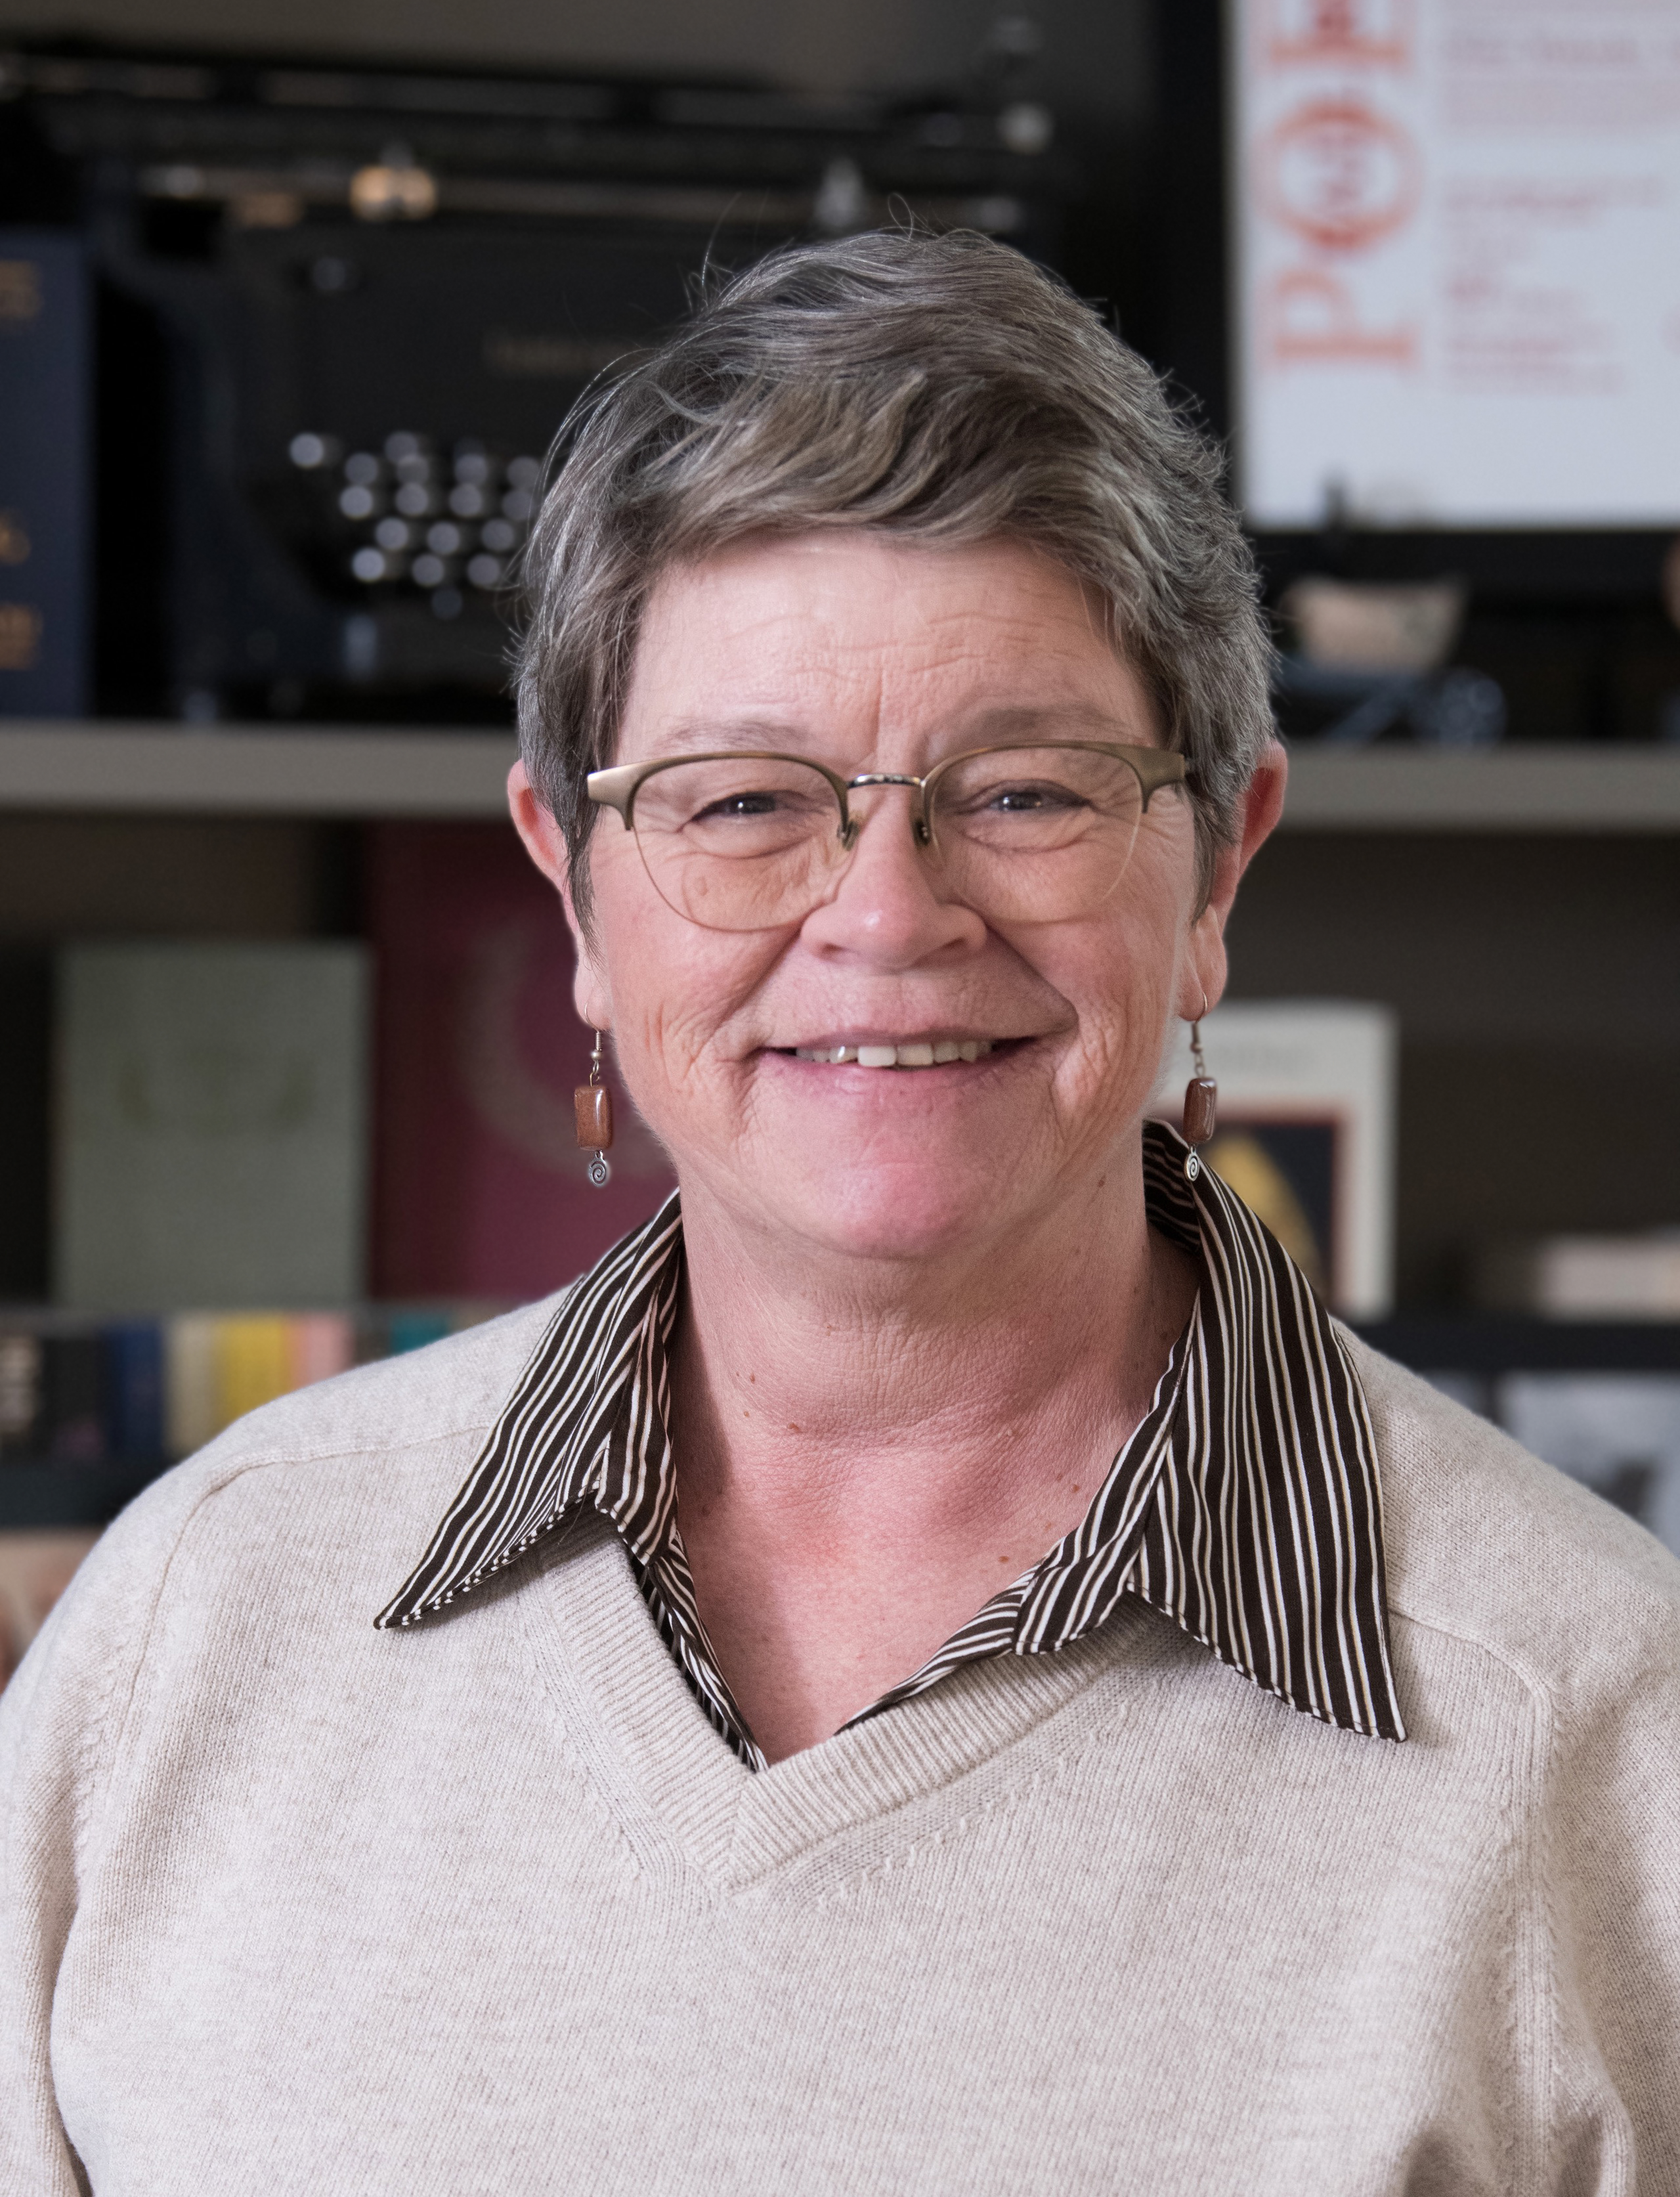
{"type": "Point", "coordinates": [937, 1666]}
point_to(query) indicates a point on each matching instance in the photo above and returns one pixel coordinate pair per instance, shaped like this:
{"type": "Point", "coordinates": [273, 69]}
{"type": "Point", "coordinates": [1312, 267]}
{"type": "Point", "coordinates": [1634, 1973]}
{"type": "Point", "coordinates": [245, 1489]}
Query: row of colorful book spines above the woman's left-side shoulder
{"type": "Point", "coordinates": [150, 1392]}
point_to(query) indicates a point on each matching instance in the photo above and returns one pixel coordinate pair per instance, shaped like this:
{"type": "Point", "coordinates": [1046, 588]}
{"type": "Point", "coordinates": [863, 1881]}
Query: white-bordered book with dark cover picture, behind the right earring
{"type": "Point", "coordinates": [1306, 1133]}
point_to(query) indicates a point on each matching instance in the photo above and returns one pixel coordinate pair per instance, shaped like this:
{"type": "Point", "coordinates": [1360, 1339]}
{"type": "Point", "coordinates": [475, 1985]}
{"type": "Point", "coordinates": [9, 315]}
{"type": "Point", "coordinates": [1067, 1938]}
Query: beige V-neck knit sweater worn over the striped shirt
{"type": "Point", "coordinates": [293, 1906]}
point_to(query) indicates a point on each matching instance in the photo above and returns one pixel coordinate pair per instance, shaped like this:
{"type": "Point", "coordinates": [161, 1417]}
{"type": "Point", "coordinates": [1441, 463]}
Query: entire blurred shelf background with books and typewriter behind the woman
{"type": "Point", "coordinates": [291, 309]}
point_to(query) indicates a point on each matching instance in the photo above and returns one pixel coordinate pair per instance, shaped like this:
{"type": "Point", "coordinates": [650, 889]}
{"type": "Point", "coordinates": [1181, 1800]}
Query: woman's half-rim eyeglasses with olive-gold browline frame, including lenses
{"type": "Point", "coordinates": [754, 843]}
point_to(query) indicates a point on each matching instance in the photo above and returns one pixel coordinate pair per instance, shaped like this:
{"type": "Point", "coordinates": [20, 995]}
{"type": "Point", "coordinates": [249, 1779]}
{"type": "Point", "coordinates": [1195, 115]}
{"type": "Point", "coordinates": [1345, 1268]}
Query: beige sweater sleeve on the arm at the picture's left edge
{"type": "Point", "coordinates": [60, 1724]}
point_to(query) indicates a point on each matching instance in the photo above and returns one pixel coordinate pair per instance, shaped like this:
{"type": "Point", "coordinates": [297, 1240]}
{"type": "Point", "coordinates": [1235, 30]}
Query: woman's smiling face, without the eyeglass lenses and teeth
{"type": "Point", "coordinates": [886, 658]}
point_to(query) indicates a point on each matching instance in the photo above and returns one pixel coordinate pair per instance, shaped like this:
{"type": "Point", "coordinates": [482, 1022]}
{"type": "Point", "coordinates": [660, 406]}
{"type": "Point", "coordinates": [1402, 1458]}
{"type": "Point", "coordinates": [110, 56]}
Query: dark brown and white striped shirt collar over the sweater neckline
{"type": "Point", "coordinates": [1244, 1506]}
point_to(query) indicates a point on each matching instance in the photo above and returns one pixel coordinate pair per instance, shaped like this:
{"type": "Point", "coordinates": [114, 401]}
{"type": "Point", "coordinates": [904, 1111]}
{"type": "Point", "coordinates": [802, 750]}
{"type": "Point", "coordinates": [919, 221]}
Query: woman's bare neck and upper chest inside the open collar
{"type": "Point", "coordinates": [866, 1451]}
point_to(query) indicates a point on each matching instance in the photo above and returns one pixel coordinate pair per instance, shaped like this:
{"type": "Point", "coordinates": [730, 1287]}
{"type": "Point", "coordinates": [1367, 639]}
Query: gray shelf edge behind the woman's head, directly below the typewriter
{"type": "Point", "coordinates": [407, 772]}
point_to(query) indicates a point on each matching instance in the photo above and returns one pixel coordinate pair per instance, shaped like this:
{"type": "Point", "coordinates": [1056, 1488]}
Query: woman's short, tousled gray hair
{"type": "Point", "coordinates": [937, 388]}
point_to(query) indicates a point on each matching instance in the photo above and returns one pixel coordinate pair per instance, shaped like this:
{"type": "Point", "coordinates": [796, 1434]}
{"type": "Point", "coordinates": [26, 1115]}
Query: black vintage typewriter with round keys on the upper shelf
{"type": "Point", "coordinates": [344, 309]}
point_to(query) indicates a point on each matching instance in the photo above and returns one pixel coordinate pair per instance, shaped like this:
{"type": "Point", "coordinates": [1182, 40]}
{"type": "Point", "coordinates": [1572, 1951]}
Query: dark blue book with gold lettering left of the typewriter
{"type": "Point", "coordinates": [45, 473]}
